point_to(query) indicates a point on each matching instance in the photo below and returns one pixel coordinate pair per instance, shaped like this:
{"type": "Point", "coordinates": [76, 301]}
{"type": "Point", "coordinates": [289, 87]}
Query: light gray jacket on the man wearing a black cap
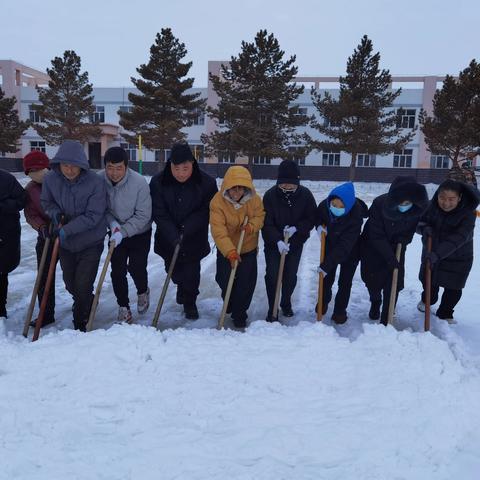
{"type": "Point", "coordinates": [129, 203]}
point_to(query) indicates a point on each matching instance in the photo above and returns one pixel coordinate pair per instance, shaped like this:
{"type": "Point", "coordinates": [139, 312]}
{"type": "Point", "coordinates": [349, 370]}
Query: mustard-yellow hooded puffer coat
{"type": "Point", "coordinates": [226, 216]}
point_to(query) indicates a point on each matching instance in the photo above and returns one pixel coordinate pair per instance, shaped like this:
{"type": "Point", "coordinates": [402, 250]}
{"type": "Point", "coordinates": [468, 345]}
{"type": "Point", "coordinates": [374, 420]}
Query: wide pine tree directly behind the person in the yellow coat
{"type": "Point", "coordinates": [255, 109]}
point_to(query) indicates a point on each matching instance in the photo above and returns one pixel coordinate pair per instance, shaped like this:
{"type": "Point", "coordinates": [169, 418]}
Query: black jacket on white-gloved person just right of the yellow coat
{"type": "Point", "coordinates": [294, 209]}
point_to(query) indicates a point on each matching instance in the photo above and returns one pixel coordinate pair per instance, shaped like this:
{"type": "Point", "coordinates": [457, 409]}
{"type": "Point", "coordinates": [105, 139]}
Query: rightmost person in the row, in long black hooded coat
{"type": "Point", "coordinates": [450, 221]}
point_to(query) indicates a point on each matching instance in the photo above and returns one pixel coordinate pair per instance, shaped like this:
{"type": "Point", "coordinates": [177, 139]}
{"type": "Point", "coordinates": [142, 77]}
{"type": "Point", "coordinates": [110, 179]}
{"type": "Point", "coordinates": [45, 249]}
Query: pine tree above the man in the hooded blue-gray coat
{"type": "Point", "coordinates": [67, 103]}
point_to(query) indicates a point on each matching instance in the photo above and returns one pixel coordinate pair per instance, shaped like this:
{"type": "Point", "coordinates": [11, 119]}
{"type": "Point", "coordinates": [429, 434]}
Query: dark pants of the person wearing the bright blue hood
{"type": "Point", "coordinates": [345, 278]}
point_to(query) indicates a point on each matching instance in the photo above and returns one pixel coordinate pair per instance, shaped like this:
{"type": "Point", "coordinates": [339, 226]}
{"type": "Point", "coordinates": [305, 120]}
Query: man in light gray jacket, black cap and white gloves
{"type": "Point", "coordinates": [129, 217]}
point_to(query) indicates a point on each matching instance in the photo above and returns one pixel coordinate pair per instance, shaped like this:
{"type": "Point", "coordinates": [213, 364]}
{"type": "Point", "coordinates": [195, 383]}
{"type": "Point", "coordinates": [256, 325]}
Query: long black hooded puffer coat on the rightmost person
{"type": "Point", "coordinates": [452, 238]}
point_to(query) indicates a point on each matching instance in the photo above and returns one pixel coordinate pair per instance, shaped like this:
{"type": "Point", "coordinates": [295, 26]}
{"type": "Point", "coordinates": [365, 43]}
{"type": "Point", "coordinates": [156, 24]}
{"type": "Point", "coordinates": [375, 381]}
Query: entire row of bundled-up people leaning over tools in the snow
{"type": "Point", "coordinates": [79, 207]}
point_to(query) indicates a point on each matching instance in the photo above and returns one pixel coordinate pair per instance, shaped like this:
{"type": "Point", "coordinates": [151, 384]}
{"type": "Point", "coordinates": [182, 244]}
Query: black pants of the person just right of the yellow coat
{"type": "Point", "coordinates": [289, 280]}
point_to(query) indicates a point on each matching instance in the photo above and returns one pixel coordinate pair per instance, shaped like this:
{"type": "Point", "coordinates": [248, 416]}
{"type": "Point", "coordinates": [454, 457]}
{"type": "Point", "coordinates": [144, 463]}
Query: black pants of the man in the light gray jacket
{"type": "Point", "coordinates": [130, 256]}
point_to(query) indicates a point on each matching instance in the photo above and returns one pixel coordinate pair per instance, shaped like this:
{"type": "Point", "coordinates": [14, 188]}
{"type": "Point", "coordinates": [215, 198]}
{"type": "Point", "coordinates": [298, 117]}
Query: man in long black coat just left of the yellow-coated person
{"type": "Point", "coordinates": [181, 195]}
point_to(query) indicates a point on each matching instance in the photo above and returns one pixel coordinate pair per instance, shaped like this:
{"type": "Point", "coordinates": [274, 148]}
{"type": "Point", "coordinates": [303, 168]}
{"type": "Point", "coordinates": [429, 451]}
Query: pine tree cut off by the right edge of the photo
{"type": "Point", "coordinates": [454, 127]}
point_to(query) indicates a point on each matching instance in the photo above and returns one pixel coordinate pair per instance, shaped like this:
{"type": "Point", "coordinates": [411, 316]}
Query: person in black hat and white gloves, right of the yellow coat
{"type": "Point", "coordinates": [289, 208]}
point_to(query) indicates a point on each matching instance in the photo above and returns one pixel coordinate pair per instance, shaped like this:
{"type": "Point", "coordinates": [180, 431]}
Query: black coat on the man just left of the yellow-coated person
{"type": "Point", "coordinates": [182, 208]}
